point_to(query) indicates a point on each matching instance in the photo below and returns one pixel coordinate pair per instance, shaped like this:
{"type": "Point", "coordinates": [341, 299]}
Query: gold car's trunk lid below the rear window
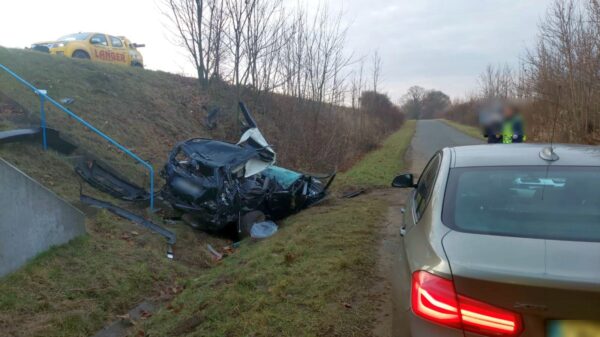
{"type": "Point", "coordinates": [541, 279]}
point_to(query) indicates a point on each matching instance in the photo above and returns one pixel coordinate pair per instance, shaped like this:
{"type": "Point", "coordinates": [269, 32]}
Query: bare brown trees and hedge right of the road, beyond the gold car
{"type": "Point", "coordinates": [559, 78]}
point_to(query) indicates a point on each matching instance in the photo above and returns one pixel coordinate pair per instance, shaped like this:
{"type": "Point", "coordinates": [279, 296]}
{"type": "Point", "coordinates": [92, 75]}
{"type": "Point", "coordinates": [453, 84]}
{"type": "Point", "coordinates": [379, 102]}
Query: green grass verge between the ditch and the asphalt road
{"type": "Point", "coordinates": [311, 279]}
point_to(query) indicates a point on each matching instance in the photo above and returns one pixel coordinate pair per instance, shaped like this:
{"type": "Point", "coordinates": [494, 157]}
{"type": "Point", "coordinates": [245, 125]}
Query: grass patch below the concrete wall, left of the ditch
{"type": "Point", "coordinates": [75, 289]}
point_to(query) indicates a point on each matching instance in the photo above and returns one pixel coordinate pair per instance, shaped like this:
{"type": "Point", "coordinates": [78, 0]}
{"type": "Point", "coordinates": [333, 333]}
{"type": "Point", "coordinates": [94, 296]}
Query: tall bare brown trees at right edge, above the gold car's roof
{"type": "Point", "coordinates": [563, 71]}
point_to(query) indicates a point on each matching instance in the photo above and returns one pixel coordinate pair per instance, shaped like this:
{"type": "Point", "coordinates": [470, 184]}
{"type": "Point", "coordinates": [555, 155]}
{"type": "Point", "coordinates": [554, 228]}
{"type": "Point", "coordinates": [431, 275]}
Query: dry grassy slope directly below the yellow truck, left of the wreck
{"type": "Point", "coordinates": [148, 111]}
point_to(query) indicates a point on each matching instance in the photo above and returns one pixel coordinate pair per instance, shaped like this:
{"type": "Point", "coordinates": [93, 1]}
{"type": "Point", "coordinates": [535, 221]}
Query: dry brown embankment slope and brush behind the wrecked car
{"type": "Point", "coordinates": [150, 111]}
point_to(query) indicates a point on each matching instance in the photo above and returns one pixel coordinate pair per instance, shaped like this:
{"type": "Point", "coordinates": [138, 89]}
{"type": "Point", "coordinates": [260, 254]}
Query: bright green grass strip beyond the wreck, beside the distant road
{"type": "Point", "coordinates": [377, 167]}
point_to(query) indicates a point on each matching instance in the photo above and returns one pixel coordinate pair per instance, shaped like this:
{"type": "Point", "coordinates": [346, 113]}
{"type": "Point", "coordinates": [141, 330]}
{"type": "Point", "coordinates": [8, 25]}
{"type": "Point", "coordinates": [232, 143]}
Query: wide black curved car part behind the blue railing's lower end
{"type": "Point", "coordinates": [106, 179]}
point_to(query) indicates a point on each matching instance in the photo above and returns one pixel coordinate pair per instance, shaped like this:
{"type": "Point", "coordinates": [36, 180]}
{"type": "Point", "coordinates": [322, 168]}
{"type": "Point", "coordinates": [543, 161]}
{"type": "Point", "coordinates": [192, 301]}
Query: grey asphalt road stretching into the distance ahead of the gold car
{"type": "Point", "coordinates": [432, 136]}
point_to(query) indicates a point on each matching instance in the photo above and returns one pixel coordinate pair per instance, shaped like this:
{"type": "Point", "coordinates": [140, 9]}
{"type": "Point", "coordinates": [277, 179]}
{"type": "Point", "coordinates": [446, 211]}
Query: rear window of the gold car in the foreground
{"type": "Point", "coordinates": [557, 203]}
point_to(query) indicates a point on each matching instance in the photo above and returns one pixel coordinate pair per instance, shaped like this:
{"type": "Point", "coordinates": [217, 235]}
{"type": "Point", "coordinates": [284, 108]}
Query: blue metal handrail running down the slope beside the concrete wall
{"type": "Point", "coordinates": [42, 94]}
